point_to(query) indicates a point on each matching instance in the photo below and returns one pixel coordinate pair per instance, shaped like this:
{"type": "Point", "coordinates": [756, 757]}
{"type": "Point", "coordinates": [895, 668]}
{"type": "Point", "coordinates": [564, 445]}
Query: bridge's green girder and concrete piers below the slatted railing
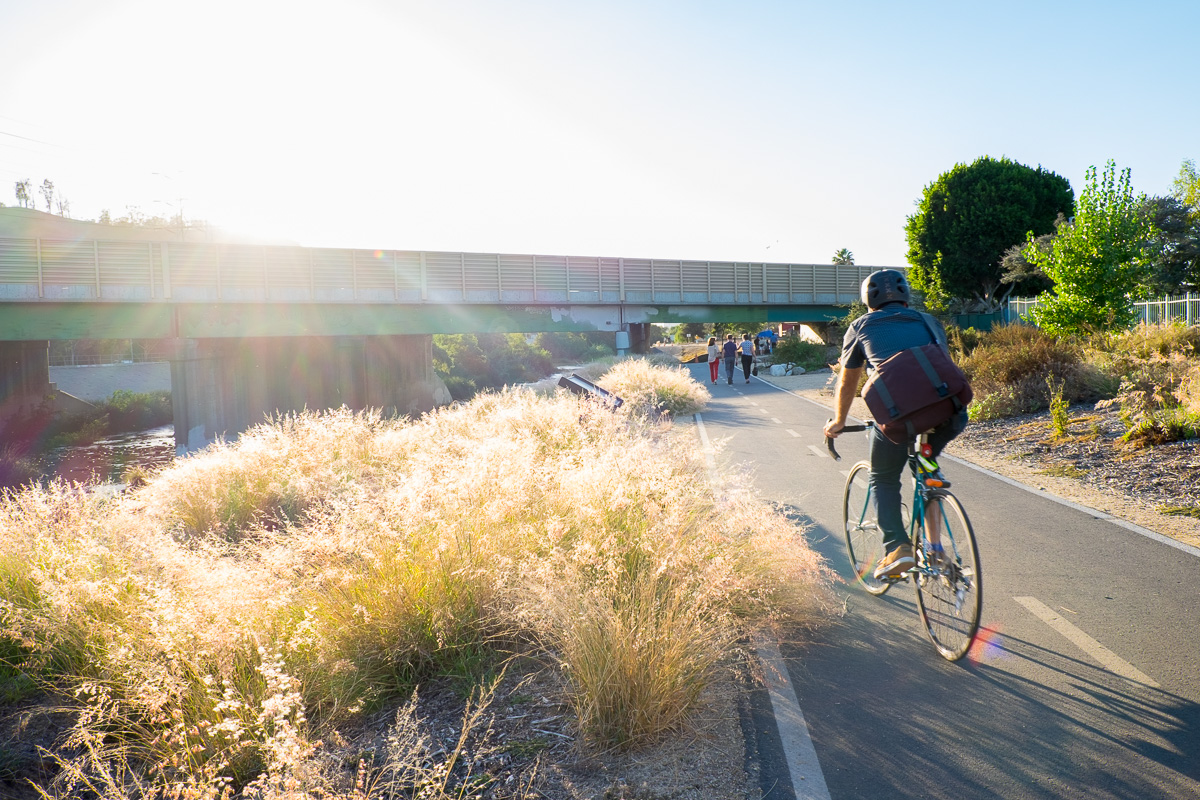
{"type": "Point", "coordinates": [236, 363]}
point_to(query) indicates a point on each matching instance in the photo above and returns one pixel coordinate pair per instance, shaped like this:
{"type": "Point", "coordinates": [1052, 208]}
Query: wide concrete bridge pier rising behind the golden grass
{"type": "Point", "coordinates": [225, 387]}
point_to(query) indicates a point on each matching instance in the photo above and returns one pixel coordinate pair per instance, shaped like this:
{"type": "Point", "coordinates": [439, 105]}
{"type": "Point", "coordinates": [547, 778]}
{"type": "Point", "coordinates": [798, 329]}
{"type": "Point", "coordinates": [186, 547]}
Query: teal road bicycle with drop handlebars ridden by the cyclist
{"type": "Point", "coordinates": [947, 580]}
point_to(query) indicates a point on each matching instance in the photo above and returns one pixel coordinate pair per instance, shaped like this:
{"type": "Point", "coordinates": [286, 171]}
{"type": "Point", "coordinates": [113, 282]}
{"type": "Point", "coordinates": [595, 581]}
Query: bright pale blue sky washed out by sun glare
{"type": "Point", "coordinates": [746, 130]}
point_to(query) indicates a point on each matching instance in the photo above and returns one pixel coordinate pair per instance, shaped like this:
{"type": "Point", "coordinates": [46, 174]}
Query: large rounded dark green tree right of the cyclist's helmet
{"type": "Point", "coordinates": [965, 222]}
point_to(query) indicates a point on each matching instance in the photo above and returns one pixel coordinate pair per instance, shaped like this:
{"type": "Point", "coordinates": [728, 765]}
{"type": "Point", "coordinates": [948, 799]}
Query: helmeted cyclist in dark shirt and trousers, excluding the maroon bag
{"type": "Point", "coordinates": [889, 328]}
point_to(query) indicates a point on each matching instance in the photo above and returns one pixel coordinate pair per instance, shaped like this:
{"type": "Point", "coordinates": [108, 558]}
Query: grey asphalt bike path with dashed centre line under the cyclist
{"type": "Point", "coordinates": [1087, 687]}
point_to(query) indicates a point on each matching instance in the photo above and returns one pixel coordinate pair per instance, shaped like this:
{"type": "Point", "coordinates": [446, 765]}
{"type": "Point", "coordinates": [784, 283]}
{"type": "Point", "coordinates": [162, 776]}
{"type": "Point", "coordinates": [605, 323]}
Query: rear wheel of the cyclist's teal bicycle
{"type": "Point", "coordinates": [950, 596]}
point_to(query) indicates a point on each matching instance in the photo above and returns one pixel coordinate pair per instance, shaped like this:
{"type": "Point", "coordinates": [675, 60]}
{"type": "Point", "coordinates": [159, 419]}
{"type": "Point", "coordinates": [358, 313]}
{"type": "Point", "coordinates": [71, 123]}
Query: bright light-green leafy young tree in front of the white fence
{"type": "Point", "coordinates": [1096, 261]}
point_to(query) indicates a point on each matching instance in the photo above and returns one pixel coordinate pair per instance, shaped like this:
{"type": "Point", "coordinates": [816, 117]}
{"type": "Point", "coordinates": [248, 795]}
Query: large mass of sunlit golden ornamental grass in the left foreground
{"type": "Point", "coordinates": [215, 624]}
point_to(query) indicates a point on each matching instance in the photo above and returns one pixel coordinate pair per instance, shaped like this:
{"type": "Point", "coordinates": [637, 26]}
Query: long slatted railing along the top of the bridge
{"type": "Point", "coordinates": [103, 270]}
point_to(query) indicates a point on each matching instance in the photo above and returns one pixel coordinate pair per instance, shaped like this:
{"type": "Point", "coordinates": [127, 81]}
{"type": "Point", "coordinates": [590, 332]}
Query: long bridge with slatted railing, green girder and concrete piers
{"type": "Point", "coordinates": [257, 328]}
